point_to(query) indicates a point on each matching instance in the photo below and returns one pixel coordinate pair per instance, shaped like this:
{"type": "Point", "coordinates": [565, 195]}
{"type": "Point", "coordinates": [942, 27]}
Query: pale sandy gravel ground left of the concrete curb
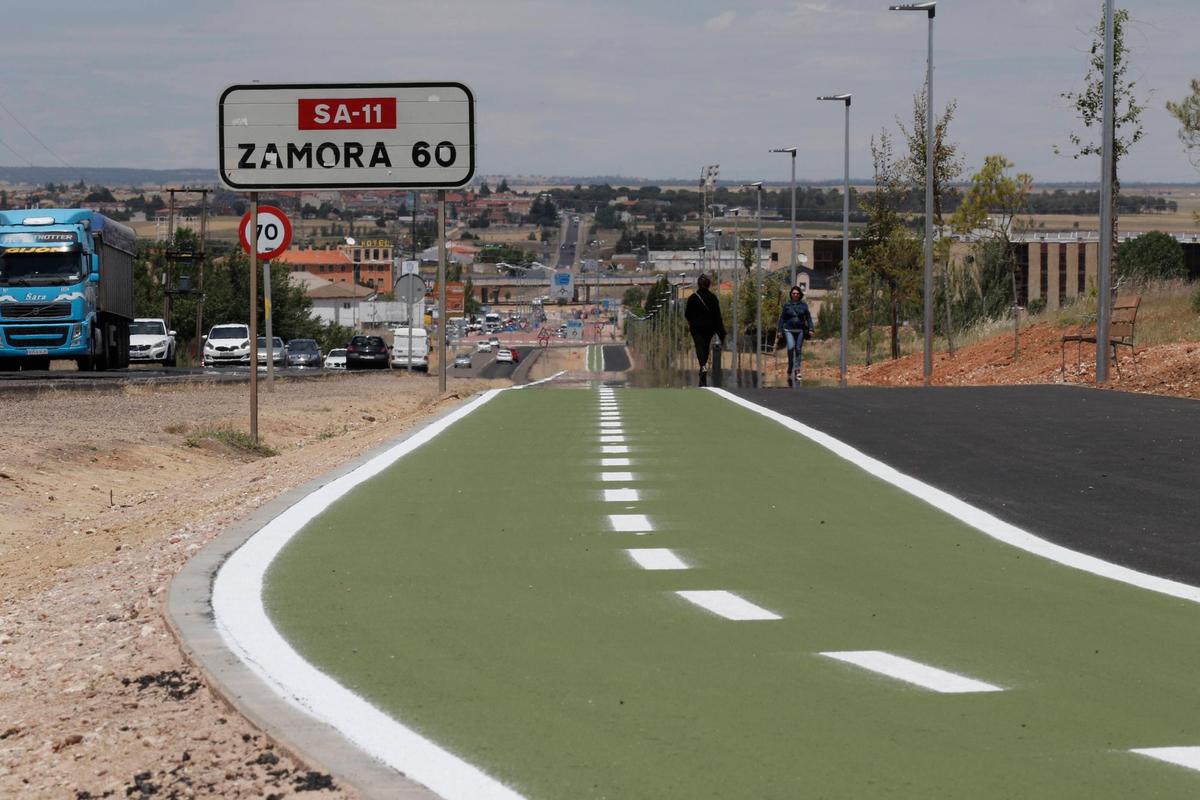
{"type": "Point", "coordinates": [103, 500]}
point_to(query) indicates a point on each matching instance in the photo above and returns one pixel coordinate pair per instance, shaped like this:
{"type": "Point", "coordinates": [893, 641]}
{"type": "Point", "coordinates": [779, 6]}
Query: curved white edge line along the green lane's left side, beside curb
{"type": "Point", "coordinates": [243, 624]}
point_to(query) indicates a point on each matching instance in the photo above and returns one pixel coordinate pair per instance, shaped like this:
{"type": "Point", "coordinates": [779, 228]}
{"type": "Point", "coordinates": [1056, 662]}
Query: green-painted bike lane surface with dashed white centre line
{"type": "Point", "coordinates": [477, 592]}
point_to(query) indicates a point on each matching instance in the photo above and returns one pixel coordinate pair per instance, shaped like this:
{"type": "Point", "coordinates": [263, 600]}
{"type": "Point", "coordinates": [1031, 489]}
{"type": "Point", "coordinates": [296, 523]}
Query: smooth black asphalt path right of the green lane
{"type": "Point", "coordinates": [1111, 474]}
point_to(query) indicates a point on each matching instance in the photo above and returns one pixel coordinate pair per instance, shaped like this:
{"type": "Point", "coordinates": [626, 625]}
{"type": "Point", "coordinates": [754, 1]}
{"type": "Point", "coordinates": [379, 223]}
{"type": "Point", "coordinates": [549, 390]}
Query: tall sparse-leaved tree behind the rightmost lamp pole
{"type": "Point", "coordinates": [1089, 104]}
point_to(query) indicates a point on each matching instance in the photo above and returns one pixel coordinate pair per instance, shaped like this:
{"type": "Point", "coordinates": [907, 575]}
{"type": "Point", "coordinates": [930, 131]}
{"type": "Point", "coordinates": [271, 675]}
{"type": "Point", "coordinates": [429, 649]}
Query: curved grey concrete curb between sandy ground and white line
{"type": "Point", "coordinates": [189, 615]}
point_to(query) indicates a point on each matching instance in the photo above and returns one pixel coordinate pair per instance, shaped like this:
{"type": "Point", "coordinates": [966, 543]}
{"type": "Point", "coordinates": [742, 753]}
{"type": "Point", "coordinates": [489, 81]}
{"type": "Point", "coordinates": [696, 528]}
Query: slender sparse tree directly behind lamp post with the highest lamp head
{"type": "Point", "coordinates": [947, 169]}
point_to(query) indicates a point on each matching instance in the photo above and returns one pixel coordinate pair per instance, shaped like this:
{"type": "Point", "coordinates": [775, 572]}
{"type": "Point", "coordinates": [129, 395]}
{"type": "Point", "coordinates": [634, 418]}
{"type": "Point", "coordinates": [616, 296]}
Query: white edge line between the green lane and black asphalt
{"type": "Point", "coordinates": [977, 519]}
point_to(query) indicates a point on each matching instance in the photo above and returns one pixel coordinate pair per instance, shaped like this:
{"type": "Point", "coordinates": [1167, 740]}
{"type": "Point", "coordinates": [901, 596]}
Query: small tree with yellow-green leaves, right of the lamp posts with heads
{"type": "Point", "coordinates": [991, 209]}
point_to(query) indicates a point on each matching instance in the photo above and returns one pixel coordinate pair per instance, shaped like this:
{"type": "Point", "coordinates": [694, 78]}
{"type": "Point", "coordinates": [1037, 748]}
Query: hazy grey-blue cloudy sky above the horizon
{"type": "Point", "coordinates": [649, 89]}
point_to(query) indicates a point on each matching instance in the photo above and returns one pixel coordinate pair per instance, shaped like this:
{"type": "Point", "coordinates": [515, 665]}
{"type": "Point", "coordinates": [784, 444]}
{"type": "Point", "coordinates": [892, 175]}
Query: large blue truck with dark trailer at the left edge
{"type": "Point", "coordinates": [67, 290]}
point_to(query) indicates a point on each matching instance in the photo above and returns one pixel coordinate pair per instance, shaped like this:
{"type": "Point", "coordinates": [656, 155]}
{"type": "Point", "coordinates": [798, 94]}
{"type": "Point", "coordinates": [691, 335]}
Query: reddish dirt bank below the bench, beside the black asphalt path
{"type": "Point", "coordinates": [1160, 370]}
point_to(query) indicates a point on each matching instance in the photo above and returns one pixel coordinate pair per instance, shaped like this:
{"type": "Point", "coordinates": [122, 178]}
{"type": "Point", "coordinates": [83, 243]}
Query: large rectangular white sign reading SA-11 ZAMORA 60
{"type": "Point", "coordinates": [347, 136]}
